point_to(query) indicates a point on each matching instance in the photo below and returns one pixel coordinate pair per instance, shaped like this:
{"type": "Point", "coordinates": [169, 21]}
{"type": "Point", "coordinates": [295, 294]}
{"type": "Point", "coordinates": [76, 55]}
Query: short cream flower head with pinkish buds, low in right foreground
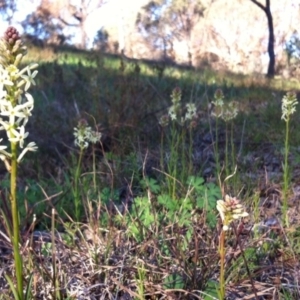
{"type": "Point", "coordinates": [230, 210]}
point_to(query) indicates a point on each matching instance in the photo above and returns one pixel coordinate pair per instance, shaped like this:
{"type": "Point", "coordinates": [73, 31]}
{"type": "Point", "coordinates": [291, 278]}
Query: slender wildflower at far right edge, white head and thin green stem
{"type": "Point", "coordinates": [288, 107]}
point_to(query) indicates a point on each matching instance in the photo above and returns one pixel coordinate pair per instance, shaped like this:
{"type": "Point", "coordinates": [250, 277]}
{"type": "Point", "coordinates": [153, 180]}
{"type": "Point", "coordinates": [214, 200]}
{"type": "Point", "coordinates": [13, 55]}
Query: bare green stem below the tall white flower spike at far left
{"type": "Point", "coordinates": [15, 219]}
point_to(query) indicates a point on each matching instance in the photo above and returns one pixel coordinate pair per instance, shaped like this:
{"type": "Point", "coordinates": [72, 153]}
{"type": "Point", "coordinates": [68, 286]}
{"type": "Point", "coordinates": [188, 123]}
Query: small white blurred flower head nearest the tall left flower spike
{"type": "Point", "coordinates": [84, 135]}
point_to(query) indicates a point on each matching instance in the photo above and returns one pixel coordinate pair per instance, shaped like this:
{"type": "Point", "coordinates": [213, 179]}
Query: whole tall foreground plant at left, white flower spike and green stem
{"type": "Point", "coordinates": [16, 105]}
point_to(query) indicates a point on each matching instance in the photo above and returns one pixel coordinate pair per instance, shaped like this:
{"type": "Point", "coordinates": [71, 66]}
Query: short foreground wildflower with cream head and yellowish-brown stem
{"type": "Point", "coordinates": [230, 209]}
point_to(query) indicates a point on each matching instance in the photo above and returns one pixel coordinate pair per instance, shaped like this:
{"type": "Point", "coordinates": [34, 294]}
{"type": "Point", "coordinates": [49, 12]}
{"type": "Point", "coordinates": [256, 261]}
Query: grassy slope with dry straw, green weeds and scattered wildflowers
{"type": "Point", "coordinates": [150, 182]}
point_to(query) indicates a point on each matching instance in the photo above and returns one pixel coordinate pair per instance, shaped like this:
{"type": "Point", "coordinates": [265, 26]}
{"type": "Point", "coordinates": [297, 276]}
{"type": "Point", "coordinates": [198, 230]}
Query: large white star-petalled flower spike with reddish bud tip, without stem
{"type": "Point", "coordinates": [16, 104]}
